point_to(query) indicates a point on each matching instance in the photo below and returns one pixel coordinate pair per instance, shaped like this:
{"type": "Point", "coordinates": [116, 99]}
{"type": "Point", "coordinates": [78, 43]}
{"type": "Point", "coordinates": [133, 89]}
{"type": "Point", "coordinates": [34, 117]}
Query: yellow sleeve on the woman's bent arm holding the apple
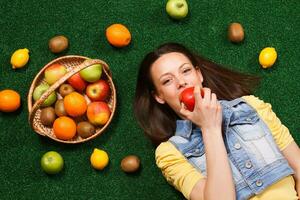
{"type": "Point", "coordinates": [176, 169]}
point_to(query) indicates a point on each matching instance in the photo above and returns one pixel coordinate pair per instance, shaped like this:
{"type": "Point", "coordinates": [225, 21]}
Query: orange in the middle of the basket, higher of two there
{"type": "Point", "coordinates": [75, 104]}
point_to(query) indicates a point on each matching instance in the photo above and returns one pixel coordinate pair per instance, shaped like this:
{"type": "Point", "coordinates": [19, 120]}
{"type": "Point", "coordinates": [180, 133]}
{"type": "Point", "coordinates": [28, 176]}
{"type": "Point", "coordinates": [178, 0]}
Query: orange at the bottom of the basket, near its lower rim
{"type": "Point", "coordinates": [64, 128]}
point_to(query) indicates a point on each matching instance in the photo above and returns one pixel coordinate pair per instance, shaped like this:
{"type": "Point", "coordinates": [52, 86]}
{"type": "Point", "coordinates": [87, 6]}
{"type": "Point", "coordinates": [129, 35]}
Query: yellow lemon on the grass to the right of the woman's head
{"type": "Point", "coordinates": [267, 57]}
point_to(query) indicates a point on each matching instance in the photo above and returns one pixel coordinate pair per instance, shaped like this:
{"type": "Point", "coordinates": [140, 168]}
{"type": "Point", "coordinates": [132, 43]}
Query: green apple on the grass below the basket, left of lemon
{"type": "Point", "coordinates": [52, 162]}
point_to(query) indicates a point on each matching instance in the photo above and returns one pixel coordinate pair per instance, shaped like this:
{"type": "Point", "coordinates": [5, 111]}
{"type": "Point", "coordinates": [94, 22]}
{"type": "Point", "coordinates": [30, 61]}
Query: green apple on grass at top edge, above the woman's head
{"type": "Point", "coordinates": [177, 9]}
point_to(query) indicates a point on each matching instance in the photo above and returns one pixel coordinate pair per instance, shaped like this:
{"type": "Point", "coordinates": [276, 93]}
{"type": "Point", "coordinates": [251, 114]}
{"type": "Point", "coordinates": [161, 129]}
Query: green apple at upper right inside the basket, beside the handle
{"type": "Point", "coordinates": [92, 73]}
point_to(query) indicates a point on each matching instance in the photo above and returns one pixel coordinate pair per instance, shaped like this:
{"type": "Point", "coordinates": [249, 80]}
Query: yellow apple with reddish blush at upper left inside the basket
{"type": "Point", "coordinates": [54, 73]}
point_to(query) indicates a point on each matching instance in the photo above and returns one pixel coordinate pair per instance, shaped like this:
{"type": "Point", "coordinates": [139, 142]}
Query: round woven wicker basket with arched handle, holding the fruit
{"type": "Point", "coordinates": [73, 64]}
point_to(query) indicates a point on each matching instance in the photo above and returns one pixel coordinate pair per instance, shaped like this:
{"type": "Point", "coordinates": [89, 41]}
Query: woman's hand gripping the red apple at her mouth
{"type": "Point", "coordinates": [207, 112]}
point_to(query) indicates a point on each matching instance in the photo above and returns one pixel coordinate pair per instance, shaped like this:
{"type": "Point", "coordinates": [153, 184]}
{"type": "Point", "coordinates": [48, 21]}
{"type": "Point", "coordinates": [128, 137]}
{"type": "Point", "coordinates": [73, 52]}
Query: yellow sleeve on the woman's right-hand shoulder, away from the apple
{"type": "Point", "coordinates": [280, 132]}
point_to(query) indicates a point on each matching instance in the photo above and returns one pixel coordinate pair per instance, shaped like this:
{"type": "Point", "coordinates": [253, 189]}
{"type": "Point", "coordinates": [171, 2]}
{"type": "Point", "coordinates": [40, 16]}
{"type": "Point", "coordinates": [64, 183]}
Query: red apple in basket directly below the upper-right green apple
{"type": "Point", "coordinates": [98, 91]}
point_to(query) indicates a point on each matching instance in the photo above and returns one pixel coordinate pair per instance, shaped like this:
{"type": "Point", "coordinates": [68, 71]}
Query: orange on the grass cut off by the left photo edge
{"type": "Point", "coordinates": [10, 100]}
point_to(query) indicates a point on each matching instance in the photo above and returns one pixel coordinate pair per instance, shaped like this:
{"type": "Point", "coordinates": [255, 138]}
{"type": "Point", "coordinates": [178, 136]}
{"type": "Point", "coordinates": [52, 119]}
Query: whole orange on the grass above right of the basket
{"type": "Point", "coordinates": [118, 35]}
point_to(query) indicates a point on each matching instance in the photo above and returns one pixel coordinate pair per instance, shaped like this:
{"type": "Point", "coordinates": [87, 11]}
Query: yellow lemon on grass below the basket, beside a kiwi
{"type": "Point", "coordinates": [99, 159]}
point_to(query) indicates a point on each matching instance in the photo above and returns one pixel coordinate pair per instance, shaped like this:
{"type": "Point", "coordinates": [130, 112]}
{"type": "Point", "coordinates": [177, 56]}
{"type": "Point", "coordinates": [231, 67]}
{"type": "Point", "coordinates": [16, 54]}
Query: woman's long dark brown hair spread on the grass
{"type": "Point", "coordinates": [159, 120]}
